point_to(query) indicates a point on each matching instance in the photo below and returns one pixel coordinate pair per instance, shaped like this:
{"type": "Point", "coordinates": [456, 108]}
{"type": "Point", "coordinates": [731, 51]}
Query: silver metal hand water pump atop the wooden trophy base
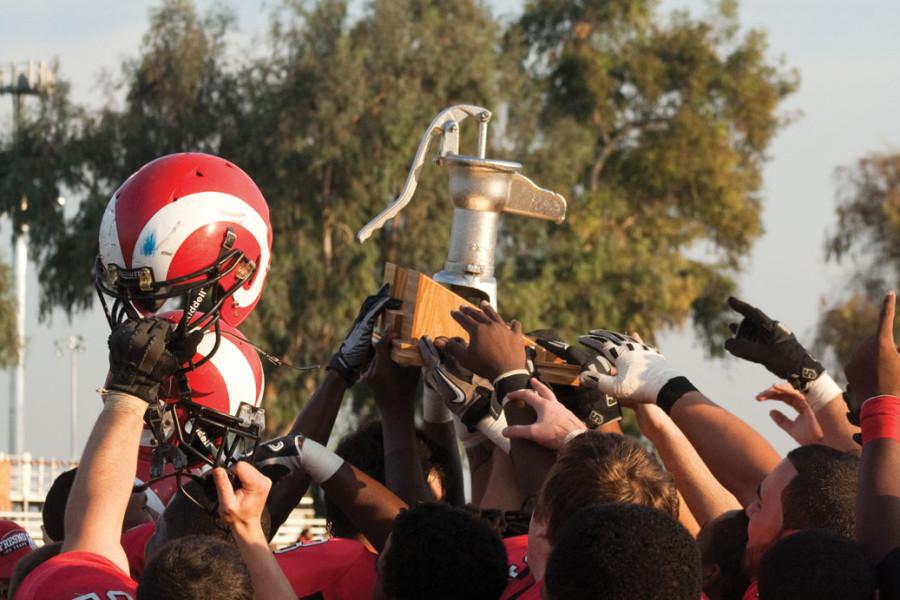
{"type": "Point", "coordinates": [480, 189]}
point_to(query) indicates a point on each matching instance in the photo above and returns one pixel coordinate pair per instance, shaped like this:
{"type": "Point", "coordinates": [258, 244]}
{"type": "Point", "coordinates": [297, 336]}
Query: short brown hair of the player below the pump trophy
{"type": "Point", "coordinates": [601, 468]}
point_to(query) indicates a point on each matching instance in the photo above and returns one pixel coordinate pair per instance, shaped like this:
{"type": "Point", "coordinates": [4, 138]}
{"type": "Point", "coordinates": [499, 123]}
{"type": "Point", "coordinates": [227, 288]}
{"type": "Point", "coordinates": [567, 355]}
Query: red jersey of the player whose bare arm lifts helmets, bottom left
{"type": "Point", "coordinates": [77, 575]}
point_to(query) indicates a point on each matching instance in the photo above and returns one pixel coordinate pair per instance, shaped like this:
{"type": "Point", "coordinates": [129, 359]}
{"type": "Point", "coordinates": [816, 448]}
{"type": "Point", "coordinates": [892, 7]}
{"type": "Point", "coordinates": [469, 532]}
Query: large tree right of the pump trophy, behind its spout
{"type": "Point", "coordinates": [657, 129]}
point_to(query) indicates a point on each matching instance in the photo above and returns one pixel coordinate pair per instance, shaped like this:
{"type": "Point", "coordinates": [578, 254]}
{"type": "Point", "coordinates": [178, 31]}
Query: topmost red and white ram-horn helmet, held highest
{"type": "Point", "coordinates": [188, 226]}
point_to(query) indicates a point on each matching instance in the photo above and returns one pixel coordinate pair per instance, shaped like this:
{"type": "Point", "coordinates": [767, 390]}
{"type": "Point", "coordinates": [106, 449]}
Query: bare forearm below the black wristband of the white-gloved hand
{"type": "Point", "coordinates": [735, 453]}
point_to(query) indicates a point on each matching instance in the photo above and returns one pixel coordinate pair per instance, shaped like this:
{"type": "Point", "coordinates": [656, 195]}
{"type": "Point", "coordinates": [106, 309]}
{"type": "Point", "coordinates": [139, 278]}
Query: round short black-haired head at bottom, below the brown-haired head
{"type": "Point", "coordinates": [623, 552]}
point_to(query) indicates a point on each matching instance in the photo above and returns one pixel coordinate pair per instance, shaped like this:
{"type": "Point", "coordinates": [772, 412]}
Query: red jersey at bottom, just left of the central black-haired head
{"type": "Point", "coordinates": [337, 569]}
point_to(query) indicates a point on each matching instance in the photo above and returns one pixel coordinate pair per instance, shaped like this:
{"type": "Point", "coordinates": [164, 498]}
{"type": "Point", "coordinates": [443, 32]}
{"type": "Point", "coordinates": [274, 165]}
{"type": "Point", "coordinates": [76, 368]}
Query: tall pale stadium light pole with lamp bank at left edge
{"type": "Point", "coordinates": [23, 81]}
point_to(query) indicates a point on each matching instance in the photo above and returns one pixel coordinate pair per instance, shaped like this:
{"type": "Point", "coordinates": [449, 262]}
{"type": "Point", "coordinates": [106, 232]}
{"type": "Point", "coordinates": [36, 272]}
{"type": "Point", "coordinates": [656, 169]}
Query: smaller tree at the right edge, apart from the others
{"type": "Point", "coordinates": [868, 237]}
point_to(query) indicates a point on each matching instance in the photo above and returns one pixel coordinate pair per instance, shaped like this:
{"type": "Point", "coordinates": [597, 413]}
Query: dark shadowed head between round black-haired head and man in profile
{"type": "Point", "coordinates": [722, 542]}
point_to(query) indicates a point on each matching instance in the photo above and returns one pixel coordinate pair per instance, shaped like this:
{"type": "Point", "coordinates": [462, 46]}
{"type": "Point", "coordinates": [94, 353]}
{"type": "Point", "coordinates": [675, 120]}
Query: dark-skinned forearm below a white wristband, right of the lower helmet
{"type": "Point", "coordinates": [367, 503]}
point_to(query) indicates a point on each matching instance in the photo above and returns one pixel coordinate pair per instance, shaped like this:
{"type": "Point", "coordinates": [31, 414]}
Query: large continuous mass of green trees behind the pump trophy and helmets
{"type": "Point", "coordinates": [655, 130]}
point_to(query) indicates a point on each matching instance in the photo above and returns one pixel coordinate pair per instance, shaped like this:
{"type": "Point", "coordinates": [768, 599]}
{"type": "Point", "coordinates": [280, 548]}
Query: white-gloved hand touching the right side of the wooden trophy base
{"type": "Point", "coordinates": [641, 371]}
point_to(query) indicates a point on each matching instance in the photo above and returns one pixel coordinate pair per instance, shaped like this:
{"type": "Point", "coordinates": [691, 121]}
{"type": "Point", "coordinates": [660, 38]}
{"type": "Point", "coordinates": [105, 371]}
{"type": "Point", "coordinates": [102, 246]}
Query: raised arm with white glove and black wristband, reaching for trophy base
{"type": "Point", "coordinates": [737, 455]}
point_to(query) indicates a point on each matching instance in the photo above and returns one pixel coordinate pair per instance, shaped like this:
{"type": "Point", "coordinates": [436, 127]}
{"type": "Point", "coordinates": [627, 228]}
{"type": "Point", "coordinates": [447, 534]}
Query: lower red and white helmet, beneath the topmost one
{"type": "Point", "coordinates": [209, 413]}
